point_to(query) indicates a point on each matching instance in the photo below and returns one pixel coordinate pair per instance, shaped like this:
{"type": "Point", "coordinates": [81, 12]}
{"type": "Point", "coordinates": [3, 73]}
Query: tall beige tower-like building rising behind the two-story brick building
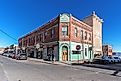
{"type": "Point", "coordinates": [96, 23]}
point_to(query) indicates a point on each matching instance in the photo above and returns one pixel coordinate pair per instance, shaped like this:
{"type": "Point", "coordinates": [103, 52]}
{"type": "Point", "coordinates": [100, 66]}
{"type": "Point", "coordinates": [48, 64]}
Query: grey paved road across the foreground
{"type": "Point", "coordinates": [11, 70]}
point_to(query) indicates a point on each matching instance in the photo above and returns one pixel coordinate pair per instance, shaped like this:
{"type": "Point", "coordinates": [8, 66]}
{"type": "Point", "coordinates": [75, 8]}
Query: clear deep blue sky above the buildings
{"type": "Point", "coordinates": [18, 17]}
